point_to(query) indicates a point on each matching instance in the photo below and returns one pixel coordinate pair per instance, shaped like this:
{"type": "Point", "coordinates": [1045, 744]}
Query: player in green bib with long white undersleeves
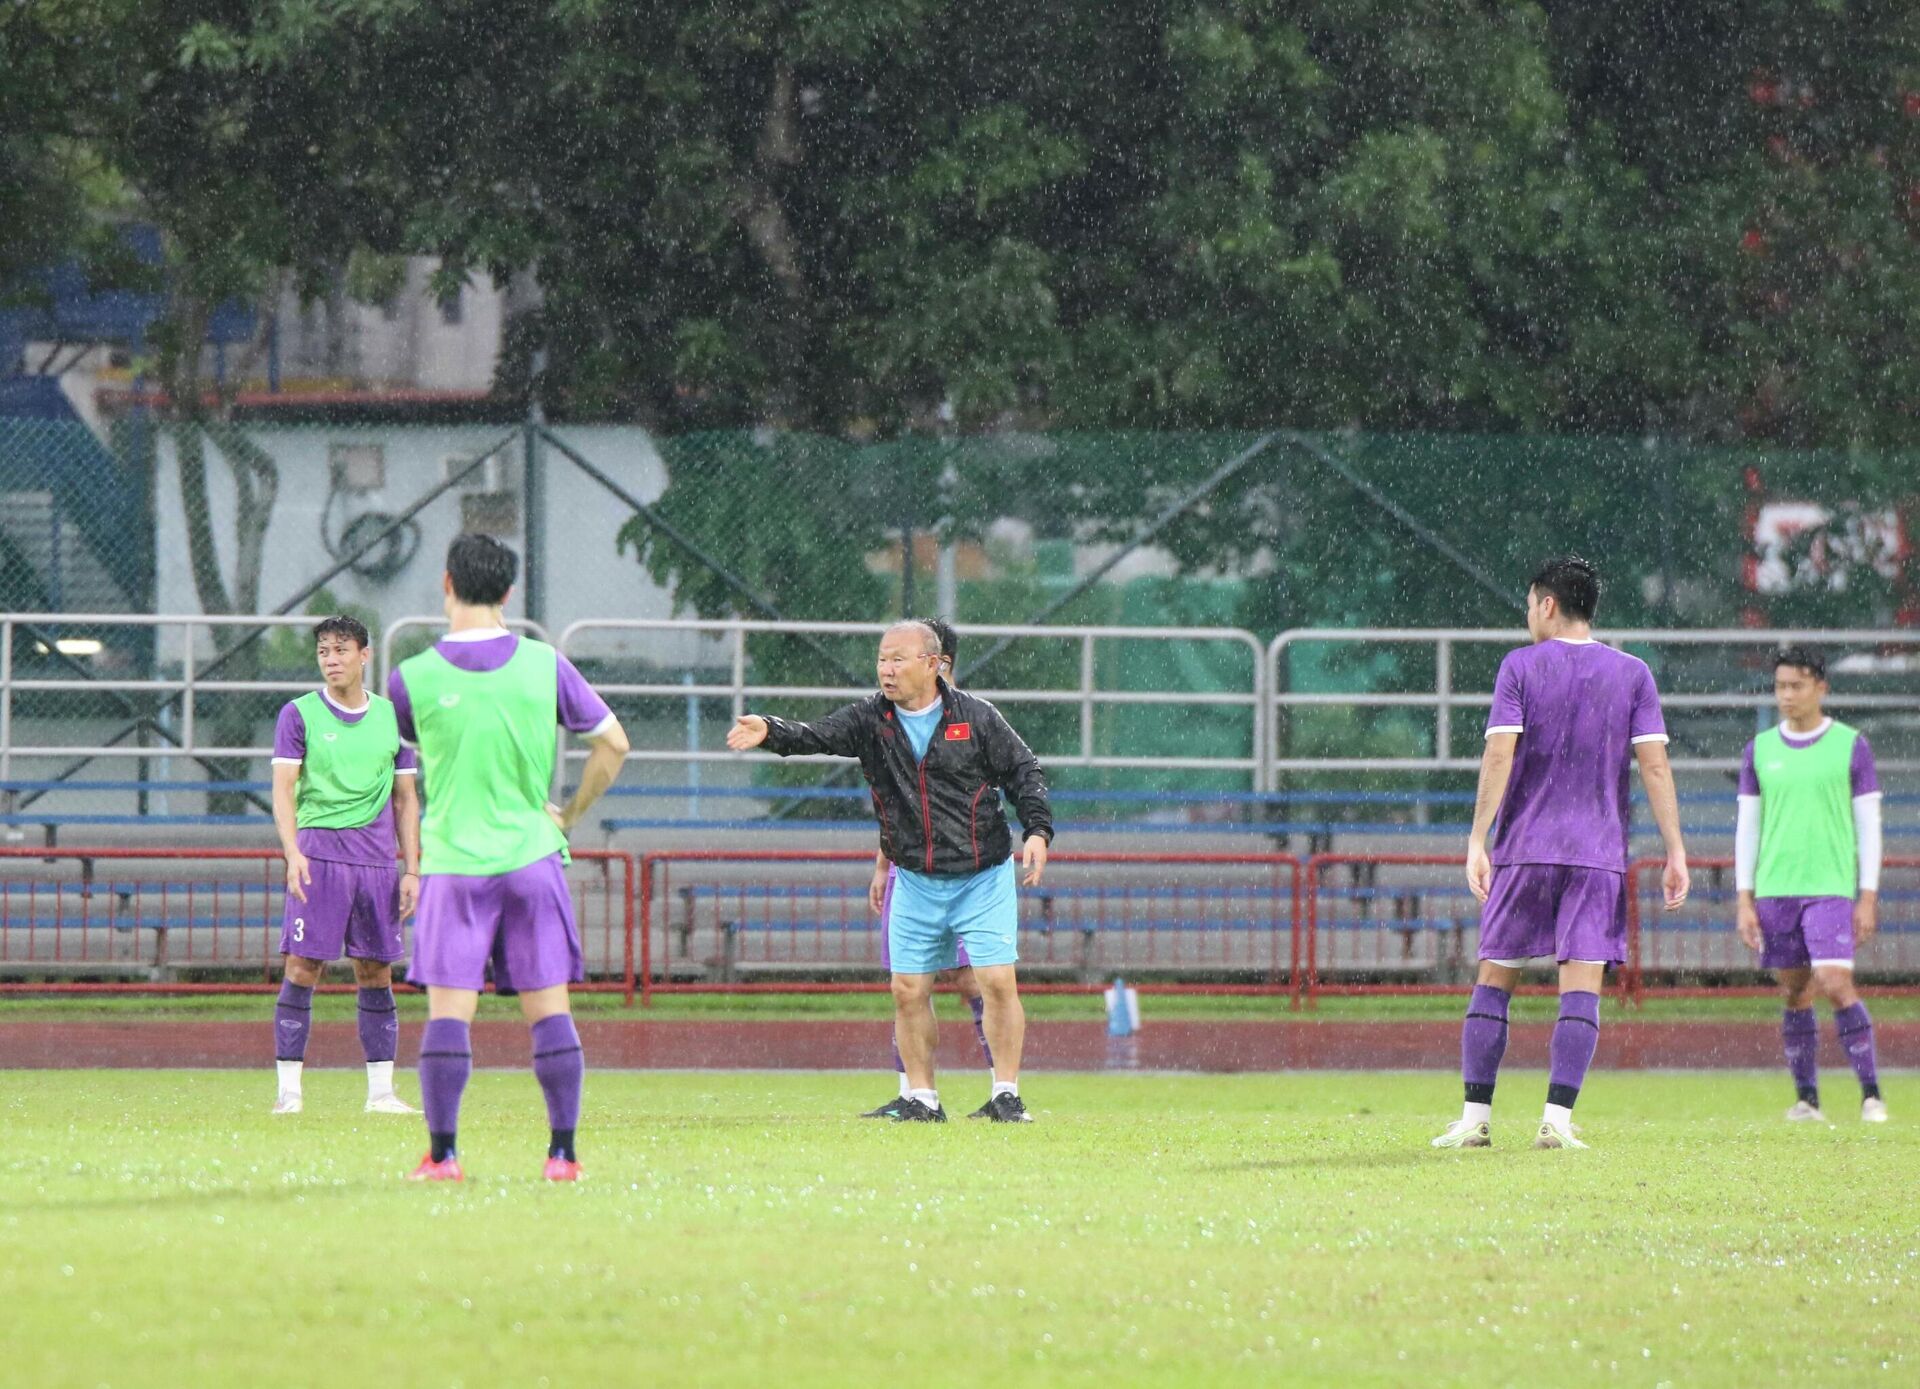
{"type": "Point", "coordinates": [1808, 869]}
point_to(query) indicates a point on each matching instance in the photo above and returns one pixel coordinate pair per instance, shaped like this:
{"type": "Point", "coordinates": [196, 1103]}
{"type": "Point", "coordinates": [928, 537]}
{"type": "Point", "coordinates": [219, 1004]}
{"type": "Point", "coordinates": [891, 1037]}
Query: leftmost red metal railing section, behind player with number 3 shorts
{"type": "Point", "coordinates": [149, 914]}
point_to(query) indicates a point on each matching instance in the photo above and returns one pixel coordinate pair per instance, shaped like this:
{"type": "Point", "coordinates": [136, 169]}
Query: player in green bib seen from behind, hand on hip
{"type": "Point", "coordinates": [483, 708]}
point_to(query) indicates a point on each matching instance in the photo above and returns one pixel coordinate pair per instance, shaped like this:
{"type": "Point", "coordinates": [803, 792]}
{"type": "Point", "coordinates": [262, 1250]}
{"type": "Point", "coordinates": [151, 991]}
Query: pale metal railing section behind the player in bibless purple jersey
{"type": "Point", "coordinates": [1445, 700]}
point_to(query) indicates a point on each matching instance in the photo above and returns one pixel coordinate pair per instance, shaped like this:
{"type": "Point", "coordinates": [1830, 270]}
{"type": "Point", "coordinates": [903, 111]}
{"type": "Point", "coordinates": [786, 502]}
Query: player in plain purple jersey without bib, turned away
{"type": "Point", "coordinates": [1570, 721]}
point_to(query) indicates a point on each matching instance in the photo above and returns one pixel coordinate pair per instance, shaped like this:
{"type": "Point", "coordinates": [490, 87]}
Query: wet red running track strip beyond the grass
{"type": "Point", "coordinates": [863, 1046]}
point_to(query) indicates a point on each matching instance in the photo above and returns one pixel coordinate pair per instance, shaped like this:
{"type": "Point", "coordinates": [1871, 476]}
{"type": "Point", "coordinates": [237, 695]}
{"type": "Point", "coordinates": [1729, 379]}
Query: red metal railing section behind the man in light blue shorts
{"type": "Point", "coordinates": [711, 921]}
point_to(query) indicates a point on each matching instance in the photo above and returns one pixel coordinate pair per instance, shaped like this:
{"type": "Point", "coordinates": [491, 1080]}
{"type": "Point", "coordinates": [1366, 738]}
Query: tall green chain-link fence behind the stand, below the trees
{"type": "Point", "coordinates": [1122, 529]}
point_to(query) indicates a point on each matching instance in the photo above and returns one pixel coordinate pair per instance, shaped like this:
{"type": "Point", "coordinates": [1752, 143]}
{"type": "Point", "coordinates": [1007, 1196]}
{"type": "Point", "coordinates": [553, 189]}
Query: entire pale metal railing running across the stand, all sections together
{"type": "Point", "coordinates": [166, 708]}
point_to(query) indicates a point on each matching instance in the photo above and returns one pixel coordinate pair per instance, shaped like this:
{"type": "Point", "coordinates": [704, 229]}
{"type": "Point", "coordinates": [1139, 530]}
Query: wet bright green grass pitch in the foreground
{"type": "Point", "coordinates": [162, 1229]}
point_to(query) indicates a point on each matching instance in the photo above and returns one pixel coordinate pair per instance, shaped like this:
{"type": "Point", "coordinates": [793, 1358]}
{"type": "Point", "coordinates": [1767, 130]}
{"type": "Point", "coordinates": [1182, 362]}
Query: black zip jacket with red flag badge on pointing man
{"type": "Point", "coordinates": [936, 816]}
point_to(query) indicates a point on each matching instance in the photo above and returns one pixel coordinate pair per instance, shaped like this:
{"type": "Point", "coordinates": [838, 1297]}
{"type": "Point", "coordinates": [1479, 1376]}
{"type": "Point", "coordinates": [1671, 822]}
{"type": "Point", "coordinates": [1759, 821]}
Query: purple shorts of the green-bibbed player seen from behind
{"type": "Point", "coordinates": [521, 923]}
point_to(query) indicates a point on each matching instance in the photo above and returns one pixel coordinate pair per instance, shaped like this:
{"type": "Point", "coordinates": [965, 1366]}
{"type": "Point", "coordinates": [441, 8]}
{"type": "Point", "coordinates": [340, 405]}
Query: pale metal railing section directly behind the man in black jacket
{"type": "Point", "coordinates": [1088, 694]}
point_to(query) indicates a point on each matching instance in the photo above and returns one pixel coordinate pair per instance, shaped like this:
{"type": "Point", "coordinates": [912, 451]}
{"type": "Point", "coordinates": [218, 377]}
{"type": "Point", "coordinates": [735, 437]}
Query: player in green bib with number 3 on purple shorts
{"type": "Point", "coordinates": [343, 791]}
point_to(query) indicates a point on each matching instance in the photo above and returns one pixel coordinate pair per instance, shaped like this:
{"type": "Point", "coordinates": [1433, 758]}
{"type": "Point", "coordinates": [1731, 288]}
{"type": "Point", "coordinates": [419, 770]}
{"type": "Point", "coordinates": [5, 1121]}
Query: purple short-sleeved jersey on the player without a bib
{"type": "Point", "coordinates": [1579, 708]}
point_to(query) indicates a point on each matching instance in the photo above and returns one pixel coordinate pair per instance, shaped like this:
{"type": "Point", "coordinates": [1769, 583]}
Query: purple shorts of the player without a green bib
{"type": "Point", "coordinates": [1541, 910]}
